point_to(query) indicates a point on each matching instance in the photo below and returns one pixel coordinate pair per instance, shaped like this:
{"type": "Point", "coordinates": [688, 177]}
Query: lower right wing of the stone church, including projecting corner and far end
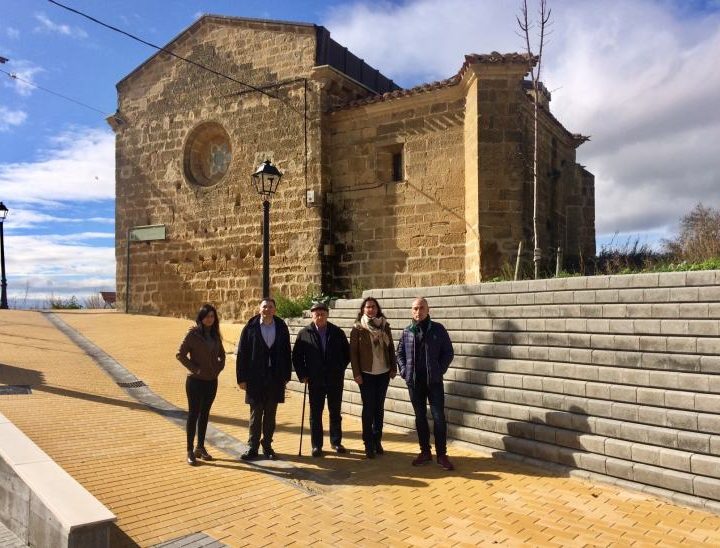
{"type": "Point", "coordinates": [466, 198]}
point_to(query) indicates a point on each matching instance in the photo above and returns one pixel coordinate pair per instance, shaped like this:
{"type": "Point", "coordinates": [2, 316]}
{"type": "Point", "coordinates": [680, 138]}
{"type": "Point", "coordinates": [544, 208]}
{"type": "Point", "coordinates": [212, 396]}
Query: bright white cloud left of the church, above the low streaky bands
{"type": "Point", "coordinates": [80, 166]}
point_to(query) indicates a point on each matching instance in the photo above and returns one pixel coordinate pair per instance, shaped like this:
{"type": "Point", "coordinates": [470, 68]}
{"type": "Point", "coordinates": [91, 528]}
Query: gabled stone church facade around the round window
{"type": "Point", "coordinates": [213, 251]}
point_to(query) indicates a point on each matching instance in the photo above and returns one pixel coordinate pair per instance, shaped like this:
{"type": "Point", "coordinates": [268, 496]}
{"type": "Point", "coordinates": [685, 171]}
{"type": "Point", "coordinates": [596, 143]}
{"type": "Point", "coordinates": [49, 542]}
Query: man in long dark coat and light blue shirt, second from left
{"type": "Point", "coordinates": [263, 370]}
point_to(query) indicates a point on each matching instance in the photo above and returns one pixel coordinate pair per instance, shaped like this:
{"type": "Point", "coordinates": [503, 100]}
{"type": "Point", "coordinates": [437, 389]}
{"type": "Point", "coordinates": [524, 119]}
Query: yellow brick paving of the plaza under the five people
{"type": "Point", "coordinates": [132, 459]}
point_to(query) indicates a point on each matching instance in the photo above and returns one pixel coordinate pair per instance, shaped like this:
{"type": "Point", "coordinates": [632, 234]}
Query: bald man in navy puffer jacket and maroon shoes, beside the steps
{"type": "Point", "coordinates": [424, 354]}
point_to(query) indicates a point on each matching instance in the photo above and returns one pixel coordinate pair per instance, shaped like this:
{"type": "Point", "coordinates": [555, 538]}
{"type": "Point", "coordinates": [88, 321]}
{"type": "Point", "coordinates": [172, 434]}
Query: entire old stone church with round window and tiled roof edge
{"type": "Point", "coordinates": [381, 186]}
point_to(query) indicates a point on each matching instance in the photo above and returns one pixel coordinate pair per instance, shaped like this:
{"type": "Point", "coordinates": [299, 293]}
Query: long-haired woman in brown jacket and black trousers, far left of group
{"type": "Point", "coordinates": [202, 353]}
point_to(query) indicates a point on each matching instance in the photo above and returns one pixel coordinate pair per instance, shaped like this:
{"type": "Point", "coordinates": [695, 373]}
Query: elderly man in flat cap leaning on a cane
{"type": "Point", "coordinates": [320, 357]}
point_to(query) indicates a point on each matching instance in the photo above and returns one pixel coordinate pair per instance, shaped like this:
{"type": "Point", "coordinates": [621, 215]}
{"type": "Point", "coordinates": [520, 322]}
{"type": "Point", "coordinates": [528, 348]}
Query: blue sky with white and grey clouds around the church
{"type": "Point", "coordinates": [639, 76]}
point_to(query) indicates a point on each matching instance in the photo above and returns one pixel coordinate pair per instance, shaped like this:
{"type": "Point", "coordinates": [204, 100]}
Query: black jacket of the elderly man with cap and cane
{"type": "Point", "coordinates": [310, 361]}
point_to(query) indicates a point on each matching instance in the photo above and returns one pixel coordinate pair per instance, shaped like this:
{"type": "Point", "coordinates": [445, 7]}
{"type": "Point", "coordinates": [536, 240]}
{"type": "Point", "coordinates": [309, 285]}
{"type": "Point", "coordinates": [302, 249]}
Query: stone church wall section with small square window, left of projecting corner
{"type": "Point", "coordinates": [407, 232]}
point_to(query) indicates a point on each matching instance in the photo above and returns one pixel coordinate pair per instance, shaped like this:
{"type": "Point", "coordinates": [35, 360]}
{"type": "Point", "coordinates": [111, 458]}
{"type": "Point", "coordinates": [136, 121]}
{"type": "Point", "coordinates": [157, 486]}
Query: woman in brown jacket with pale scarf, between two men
{"type": "Point", "coordinates": [372, 357]}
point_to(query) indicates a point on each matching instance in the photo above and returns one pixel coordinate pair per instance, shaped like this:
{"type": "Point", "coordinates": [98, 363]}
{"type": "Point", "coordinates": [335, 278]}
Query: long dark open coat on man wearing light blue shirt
{"type": "Point", "coordinates": [264, 380]}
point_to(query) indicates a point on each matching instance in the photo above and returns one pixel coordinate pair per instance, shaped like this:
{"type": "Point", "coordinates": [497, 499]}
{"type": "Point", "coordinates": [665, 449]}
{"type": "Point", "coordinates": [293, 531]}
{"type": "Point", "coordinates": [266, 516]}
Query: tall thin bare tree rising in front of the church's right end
{"type": "Point", "coordinates": [526, 26]}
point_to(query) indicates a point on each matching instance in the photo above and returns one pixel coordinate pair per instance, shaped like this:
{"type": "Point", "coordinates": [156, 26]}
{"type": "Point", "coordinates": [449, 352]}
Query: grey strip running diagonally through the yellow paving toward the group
{"type": "Point", "coordinates": [137, 389]}
